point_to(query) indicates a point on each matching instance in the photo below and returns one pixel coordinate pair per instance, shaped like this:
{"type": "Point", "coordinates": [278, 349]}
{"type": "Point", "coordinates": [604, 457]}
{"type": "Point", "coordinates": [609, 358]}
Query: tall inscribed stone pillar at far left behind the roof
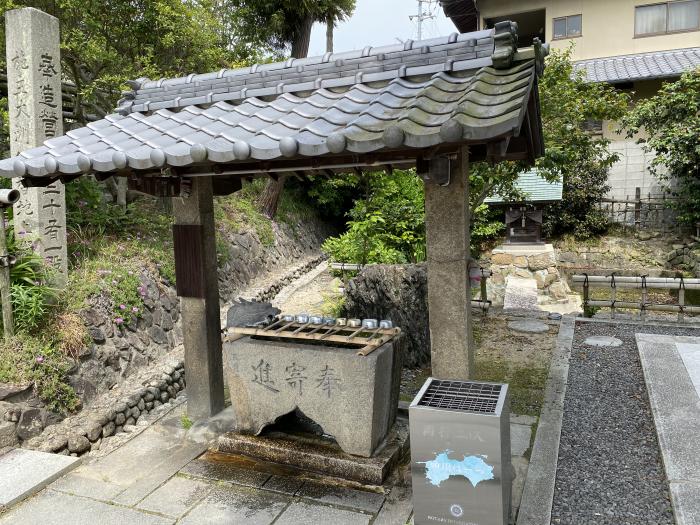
{"type": "Point", "coordinates": [36, 114]}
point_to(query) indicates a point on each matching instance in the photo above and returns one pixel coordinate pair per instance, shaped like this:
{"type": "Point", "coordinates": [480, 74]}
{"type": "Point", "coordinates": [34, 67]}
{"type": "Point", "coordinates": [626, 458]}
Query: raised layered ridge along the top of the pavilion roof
{"type": "Point", "coordinates": [461, 51]}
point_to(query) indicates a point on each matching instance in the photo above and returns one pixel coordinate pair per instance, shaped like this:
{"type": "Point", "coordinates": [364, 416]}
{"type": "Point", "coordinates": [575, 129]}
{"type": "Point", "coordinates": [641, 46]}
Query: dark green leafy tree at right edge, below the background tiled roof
{"type": "Point", "coordinates": [671, 121]}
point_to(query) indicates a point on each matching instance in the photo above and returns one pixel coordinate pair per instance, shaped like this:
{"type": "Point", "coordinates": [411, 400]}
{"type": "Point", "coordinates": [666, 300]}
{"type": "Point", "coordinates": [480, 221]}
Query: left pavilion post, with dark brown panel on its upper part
{"type": "Point", "coordinates": [198, 288]}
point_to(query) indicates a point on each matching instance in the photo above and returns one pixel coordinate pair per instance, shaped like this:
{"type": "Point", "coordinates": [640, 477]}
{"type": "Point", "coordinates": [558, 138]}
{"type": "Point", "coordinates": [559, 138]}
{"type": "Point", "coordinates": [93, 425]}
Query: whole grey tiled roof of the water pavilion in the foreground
{"type": "Point", "coordinates": [386, 105]}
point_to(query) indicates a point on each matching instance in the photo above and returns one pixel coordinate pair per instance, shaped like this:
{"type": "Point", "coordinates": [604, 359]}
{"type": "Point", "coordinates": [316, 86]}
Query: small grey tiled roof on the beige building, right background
{"type": "Point", "coordinates": [628, 68]}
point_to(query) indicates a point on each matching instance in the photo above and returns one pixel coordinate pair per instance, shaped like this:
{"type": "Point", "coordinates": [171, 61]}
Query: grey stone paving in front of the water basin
{"type": "Point", "coordinates": [162, 477]}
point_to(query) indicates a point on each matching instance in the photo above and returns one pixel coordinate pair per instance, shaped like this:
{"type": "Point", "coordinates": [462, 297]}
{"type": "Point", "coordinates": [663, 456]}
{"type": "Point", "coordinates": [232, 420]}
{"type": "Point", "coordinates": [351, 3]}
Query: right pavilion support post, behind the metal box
{"type": "Point", "coordinates": [447, 243]}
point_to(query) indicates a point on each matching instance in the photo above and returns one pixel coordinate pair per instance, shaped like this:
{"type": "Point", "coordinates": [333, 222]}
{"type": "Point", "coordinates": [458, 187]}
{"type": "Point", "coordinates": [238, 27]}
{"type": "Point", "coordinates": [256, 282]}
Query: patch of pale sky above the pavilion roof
{"type": "Point", "coordinates": [381, 22]}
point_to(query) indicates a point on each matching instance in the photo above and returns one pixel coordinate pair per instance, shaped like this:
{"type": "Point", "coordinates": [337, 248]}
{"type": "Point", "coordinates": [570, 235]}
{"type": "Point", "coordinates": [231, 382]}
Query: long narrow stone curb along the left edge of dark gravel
{"type": "Point", "coordinates": [538, 494]}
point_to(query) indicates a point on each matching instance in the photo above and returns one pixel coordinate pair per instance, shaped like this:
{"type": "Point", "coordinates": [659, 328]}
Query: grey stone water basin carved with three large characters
{"type": "Point", "coordinates": [353, 398]}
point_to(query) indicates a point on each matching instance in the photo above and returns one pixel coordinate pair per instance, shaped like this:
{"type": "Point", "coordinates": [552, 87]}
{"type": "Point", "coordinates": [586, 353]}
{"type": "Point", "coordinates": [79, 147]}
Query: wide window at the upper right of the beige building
{"type": "Point", "coordinates": [669, 17]}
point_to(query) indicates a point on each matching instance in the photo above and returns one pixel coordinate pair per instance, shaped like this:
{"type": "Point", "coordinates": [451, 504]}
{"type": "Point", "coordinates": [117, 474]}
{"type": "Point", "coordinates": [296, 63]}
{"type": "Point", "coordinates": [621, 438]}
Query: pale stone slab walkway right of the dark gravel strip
{"type": "Point", "coordinates": [669, 364]}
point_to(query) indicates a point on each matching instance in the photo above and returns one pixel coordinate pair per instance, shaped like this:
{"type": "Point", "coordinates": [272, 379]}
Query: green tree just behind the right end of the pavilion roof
{"type": "Point", "coordinates": [572, 154]}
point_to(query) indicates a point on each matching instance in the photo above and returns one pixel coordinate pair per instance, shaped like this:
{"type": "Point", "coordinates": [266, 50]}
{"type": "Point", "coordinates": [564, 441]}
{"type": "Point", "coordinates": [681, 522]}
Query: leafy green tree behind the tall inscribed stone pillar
{"type": "Point", "coordinates": [106, 42]}
